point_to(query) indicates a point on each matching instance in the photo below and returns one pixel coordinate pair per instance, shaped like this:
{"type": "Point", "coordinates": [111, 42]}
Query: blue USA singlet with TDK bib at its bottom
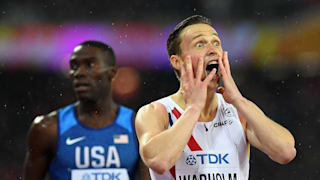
{"type": "Point", "coordinates": [85, 153]}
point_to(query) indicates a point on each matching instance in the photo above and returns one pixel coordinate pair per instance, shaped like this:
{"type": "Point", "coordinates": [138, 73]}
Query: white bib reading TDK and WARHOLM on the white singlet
{"type": "Point", "coordinates": [208, 165]}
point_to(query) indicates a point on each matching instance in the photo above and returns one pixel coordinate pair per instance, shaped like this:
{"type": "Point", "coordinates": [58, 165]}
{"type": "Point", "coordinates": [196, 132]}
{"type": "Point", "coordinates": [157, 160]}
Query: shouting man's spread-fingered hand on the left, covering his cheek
{"type": "Point", "coordinates": [194, 89]}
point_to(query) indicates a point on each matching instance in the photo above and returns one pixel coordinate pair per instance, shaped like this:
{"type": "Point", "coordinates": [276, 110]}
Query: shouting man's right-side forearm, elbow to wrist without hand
{"type": "Point", "coordinates": [265, 134]}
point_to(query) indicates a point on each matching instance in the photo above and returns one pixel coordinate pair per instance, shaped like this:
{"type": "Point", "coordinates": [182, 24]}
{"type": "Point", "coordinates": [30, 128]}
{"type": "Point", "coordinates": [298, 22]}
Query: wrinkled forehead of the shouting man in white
{"type": "Point", "coordinates": [195, 30]}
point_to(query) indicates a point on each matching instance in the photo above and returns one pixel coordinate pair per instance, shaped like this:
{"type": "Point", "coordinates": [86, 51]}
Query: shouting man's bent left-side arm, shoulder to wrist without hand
{"type": "Point", "coordinates": [160, 147]}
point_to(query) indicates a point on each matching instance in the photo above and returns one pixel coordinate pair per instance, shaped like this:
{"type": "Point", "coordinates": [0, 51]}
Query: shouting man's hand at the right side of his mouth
{"type": "Point", "coordinates": [230, 92]}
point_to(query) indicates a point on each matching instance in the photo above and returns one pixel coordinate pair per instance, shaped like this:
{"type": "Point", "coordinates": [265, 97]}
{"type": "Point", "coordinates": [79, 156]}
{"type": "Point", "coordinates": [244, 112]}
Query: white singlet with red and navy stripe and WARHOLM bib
{"type": "Point", "coordinates": [217, 150]}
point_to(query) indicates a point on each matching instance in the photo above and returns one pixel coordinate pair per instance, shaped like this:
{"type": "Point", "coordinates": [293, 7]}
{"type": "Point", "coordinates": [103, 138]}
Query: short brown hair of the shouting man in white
{"type": "Point", "coordinates": [174, 41]}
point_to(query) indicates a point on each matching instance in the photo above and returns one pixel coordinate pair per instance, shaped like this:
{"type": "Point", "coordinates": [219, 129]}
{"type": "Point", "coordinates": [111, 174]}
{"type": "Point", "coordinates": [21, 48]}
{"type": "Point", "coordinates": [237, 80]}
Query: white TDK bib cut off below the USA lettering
{"type": "Point", "coordinates": [100, 174]}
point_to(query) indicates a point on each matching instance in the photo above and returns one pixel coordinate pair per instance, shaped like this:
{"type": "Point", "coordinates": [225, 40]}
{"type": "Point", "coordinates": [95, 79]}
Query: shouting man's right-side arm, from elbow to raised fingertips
{"type": "Point", "coordinates": [263, 133]}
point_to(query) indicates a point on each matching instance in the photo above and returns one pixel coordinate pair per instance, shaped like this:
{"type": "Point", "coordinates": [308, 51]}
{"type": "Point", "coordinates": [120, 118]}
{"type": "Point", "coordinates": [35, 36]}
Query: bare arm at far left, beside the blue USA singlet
{"type": "Point", "coordinates": [42, 143]}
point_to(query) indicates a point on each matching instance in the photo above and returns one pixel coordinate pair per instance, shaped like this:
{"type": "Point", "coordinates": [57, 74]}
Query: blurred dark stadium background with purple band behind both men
{"type": "Point", "coordinates": [273, 46]}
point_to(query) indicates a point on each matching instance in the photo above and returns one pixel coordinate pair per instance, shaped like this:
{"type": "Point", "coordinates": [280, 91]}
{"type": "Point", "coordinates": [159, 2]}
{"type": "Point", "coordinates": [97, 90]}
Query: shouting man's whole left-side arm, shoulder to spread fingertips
{"type": "Point", "coordinates": [161, 147]}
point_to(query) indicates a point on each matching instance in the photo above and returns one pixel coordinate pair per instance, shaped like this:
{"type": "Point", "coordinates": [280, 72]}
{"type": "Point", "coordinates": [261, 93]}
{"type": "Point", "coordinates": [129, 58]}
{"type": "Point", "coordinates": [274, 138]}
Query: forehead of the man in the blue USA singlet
{"type": "Point", "coordinates": [86, 52]}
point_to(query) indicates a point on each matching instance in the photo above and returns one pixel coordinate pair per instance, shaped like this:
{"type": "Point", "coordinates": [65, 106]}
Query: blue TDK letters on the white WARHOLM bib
{"type": "Point", "coordinates": [213, 158]}
